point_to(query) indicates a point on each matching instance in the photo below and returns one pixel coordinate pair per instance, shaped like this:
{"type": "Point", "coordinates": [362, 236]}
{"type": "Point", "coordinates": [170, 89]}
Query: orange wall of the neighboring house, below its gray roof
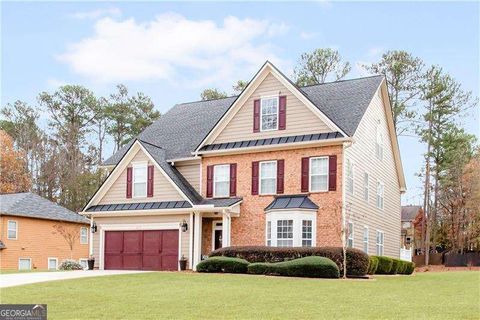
{"type": "Point", "coordinates": [37, 240]}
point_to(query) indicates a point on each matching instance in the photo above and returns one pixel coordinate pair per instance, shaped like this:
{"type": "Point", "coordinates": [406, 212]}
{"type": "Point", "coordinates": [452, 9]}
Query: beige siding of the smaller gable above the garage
{"type": "Point", "coordinates": [163, 190]}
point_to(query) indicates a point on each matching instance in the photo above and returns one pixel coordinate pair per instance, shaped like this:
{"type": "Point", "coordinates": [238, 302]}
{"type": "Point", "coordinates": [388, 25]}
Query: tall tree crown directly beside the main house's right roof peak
{"type": "Point", "coordinates": [404, 75]}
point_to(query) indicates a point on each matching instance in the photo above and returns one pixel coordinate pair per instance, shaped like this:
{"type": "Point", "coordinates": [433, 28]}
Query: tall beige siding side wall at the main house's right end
{"type": "Point", "coordinates": [361, 212]}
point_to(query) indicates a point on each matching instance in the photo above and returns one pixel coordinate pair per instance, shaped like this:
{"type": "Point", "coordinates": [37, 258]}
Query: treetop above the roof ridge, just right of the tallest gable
{"type": "Point", "coordinates": [318, 66]}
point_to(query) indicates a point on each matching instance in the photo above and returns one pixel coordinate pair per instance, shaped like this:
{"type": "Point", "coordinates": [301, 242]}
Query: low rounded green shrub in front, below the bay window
{"type": "Point", "coordinates": [314, 267]}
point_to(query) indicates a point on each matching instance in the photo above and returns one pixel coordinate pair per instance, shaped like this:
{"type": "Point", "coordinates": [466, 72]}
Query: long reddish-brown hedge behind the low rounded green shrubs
{"type": "Point", "coordinates": [357, 260]}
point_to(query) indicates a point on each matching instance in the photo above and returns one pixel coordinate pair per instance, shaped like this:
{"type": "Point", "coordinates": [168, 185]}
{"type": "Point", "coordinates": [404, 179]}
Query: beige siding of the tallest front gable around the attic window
{"type": "Point", "coordinates": [300, 120]}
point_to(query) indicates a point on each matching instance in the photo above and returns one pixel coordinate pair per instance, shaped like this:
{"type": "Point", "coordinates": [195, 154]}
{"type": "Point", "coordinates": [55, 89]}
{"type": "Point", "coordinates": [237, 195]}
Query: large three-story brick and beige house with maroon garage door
{"type": "Point", "coordinates": [277, 165]}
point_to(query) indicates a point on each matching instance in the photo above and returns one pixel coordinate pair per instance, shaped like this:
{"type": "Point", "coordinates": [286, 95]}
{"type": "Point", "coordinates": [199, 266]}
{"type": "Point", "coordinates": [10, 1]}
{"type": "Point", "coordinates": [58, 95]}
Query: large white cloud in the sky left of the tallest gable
{"type": "Point", "coordinates": [171, 45]}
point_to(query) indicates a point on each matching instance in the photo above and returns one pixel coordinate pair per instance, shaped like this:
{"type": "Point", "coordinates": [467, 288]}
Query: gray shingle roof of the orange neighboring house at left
{"type": "Point", "coordinates": [31, 205]}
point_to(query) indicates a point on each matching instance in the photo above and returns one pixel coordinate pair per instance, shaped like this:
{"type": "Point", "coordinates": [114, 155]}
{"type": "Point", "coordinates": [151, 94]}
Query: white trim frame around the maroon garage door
{"type": "Point", "coordinates": [136, 227]}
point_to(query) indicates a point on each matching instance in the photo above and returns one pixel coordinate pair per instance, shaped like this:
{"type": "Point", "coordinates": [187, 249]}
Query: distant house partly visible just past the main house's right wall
{"type": "Point", "coordinates": [411, 217]}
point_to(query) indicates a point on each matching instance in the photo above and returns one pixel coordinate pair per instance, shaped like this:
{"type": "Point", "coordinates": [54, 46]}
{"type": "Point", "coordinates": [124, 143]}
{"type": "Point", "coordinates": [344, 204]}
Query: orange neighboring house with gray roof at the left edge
{"type": "Point", "coordinates": [30, 237]}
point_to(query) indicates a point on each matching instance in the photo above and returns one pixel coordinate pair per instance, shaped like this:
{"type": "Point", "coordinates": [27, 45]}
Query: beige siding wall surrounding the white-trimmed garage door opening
{"type": "Point", "coordinates": [139, 220]}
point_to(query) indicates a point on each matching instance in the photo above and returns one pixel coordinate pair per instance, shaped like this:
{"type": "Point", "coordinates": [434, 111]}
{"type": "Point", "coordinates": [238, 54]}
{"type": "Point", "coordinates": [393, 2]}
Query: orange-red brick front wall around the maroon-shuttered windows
{"type": "Point", "coordinates": [249, 228]}
